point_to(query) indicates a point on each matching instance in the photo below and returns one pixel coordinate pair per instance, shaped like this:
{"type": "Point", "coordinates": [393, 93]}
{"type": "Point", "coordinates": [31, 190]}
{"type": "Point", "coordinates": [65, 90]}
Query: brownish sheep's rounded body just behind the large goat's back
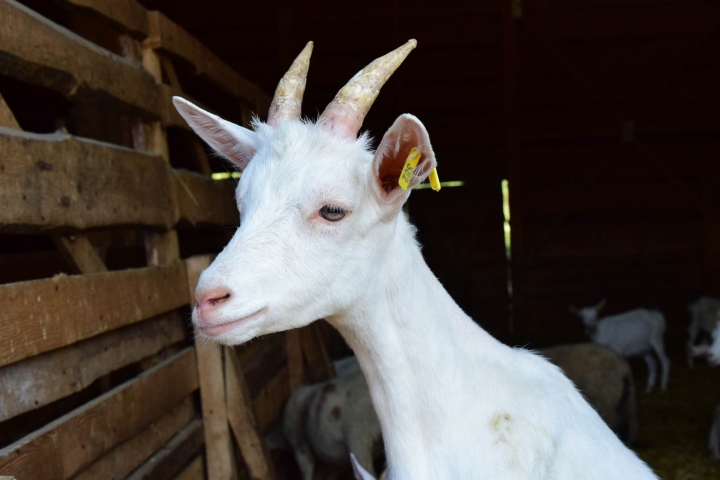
{"type": "Point", "coordinates": [606, 381]}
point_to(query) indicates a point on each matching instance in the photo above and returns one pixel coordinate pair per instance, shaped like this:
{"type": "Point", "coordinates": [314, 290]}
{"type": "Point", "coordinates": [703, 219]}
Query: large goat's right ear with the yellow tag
{"type": "Point", "coordinates": [407, 132]}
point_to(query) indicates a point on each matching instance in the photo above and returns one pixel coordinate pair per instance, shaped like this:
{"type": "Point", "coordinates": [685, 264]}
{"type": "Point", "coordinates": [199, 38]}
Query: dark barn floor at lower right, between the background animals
{"type": "Point", "coordinates": [674, 425]}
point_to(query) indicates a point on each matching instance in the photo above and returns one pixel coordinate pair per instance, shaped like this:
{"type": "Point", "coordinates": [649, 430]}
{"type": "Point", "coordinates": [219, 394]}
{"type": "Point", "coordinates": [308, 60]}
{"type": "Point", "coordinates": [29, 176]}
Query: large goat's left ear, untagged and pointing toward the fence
{"type": "Point", "coordinates": [233, 142]}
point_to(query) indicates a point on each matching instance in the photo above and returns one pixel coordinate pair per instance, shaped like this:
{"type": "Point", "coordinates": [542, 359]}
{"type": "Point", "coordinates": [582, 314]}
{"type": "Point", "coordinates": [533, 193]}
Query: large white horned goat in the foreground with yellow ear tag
{"type": "Point", "coordinates": [322, 236]}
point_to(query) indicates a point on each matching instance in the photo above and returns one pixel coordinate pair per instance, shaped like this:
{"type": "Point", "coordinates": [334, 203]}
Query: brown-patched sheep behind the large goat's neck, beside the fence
{"type": "Point", "coordinates": [329, 420]}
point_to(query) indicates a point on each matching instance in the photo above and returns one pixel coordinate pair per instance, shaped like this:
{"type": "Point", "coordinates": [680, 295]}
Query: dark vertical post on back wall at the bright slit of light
{"type": "Point", "coordinates": [513, 160]}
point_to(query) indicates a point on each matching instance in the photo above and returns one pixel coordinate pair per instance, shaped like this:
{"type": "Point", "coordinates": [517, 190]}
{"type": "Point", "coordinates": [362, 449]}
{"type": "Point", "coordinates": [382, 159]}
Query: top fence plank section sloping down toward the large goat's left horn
{"type": "Point", "coordinates": [170, 38]}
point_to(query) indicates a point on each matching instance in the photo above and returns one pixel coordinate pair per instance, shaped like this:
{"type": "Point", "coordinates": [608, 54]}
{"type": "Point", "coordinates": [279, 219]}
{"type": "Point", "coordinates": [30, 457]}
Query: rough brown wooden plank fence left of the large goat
{"type": "Point", "coordinates": [99, 373]}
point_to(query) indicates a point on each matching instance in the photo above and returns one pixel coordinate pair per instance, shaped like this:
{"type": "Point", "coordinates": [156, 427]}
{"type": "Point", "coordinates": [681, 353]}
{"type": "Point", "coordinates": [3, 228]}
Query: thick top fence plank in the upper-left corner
{"type": "Point", "coordinates": [56, 58]}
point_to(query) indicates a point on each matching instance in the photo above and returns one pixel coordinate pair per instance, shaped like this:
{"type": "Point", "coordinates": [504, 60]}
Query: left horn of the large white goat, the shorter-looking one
{"type": "Point", "coordinates": [287, 102]}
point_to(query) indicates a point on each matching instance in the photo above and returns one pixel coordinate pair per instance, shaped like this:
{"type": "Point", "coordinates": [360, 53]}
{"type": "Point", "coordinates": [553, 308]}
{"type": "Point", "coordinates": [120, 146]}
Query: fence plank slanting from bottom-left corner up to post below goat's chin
{"type": "Point", "coordinates": [93, 429]}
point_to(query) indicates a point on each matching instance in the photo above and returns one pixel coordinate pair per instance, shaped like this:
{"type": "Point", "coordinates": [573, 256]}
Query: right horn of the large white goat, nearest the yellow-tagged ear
{"type": "Point", "coordinates": [345, 114]}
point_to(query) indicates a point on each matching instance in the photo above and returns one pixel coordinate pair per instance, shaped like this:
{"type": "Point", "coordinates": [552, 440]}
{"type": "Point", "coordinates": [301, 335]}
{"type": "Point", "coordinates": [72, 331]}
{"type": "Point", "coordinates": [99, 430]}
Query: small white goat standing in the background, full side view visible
{"type": "Point", "coordinates": [634, 333]}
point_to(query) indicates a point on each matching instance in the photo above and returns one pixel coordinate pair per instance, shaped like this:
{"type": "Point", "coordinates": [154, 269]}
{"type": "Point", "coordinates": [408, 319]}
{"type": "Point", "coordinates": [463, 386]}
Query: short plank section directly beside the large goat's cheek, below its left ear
{"type": "Point", "coordinates": [201, 199]}
